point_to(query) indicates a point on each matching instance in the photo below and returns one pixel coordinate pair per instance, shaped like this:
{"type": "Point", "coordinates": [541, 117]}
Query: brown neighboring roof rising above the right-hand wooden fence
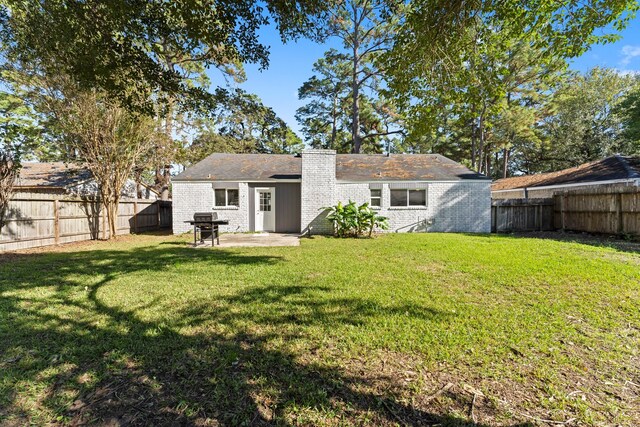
{"type": "Point", "coordinates": [609, 169]}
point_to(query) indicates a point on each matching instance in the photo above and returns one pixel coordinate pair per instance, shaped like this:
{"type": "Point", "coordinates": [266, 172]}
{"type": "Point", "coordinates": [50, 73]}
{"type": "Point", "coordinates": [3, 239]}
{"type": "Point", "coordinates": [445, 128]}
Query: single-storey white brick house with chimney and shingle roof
{"type": "Point", "coordinates": [286, 193]}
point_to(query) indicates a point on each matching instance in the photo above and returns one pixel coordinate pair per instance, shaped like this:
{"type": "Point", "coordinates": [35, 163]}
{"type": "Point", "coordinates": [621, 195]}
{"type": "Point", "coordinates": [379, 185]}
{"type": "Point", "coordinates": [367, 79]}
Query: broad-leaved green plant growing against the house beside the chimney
{"type": "Point", "coordinates": [352, 220]}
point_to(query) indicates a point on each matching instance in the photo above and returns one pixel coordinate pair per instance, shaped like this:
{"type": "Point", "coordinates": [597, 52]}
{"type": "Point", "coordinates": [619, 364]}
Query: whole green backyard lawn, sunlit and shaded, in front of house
{"type": "Point", "coordinates": [402, 329]}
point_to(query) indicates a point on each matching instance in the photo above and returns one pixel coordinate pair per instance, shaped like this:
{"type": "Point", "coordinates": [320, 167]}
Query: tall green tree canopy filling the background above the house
{"type": "Point", "coordinates": [484, 82]}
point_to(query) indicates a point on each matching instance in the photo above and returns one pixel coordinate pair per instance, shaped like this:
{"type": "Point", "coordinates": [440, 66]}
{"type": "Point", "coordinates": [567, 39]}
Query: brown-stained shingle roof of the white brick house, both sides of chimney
{"type": "Point", "coordinates": [349, 167]}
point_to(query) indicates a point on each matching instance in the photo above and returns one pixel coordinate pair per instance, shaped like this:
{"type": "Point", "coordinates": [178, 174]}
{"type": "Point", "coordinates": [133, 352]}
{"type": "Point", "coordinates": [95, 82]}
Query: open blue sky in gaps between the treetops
{"type": "Point", "coordinates": [290, 65]}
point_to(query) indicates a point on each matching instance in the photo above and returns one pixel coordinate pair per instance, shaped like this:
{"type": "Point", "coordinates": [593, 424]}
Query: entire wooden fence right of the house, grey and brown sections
{"type": "Point", "coordinates": [599, 210]}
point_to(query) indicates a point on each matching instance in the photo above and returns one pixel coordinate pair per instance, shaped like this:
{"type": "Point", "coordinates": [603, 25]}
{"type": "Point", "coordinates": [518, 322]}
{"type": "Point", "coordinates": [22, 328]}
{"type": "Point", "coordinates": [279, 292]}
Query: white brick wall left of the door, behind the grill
{"type": "Point", "coordinates": [191, 197]}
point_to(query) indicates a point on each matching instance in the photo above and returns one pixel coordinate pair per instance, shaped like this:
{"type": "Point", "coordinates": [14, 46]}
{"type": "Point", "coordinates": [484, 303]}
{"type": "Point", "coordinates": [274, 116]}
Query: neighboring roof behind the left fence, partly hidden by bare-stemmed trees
{"type": "Point", "coordinates": [51, 175]}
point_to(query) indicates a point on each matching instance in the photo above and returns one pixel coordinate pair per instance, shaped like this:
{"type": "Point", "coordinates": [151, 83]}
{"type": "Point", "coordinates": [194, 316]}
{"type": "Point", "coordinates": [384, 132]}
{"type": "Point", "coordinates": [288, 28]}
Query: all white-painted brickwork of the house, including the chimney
{"type": "Point", "coordinates": [463, 206]}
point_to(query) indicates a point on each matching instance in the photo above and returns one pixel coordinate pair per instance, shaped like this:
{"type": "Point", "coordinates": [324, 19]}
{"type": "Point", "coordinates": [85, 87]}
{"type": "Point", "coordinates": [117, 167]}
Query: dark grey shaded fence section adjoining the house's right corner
{"type": "Point", "coordinates": [509, 215]}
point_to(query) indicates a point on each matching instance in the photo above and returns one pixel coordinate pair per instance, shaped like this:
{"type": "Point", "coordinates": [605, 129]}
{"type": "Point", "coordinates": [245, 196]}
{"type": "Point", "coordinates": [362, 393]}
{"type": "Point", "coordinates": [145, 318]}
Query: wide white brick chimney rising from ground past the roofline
{"type": "Point", "coordinates": [318, 190]}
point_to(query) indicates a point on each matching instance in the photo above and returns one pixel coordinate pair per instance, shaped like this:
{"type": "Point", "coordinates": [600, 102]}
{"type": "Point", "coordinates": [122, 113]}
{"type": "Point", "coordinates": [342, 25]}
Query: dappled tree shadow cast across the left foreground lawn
{"type": "Point", "coordinates": [124, 369]}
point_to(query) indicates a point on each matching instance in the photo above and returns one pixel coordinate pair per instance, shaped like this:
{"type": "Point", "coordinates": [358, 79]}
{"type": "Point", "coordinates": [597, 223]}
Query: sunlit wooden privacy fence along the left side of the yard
{"type": "Point", "coordinates": [40, 222]}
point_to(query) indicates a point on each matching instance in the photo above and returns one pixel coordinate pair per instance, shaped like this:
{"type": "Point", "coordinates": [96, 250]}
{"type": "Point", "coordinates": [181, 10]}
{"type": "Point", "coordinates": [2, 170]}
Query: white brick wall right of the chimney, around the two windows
{"type": "Point", "coordinates": [451, 207]}
